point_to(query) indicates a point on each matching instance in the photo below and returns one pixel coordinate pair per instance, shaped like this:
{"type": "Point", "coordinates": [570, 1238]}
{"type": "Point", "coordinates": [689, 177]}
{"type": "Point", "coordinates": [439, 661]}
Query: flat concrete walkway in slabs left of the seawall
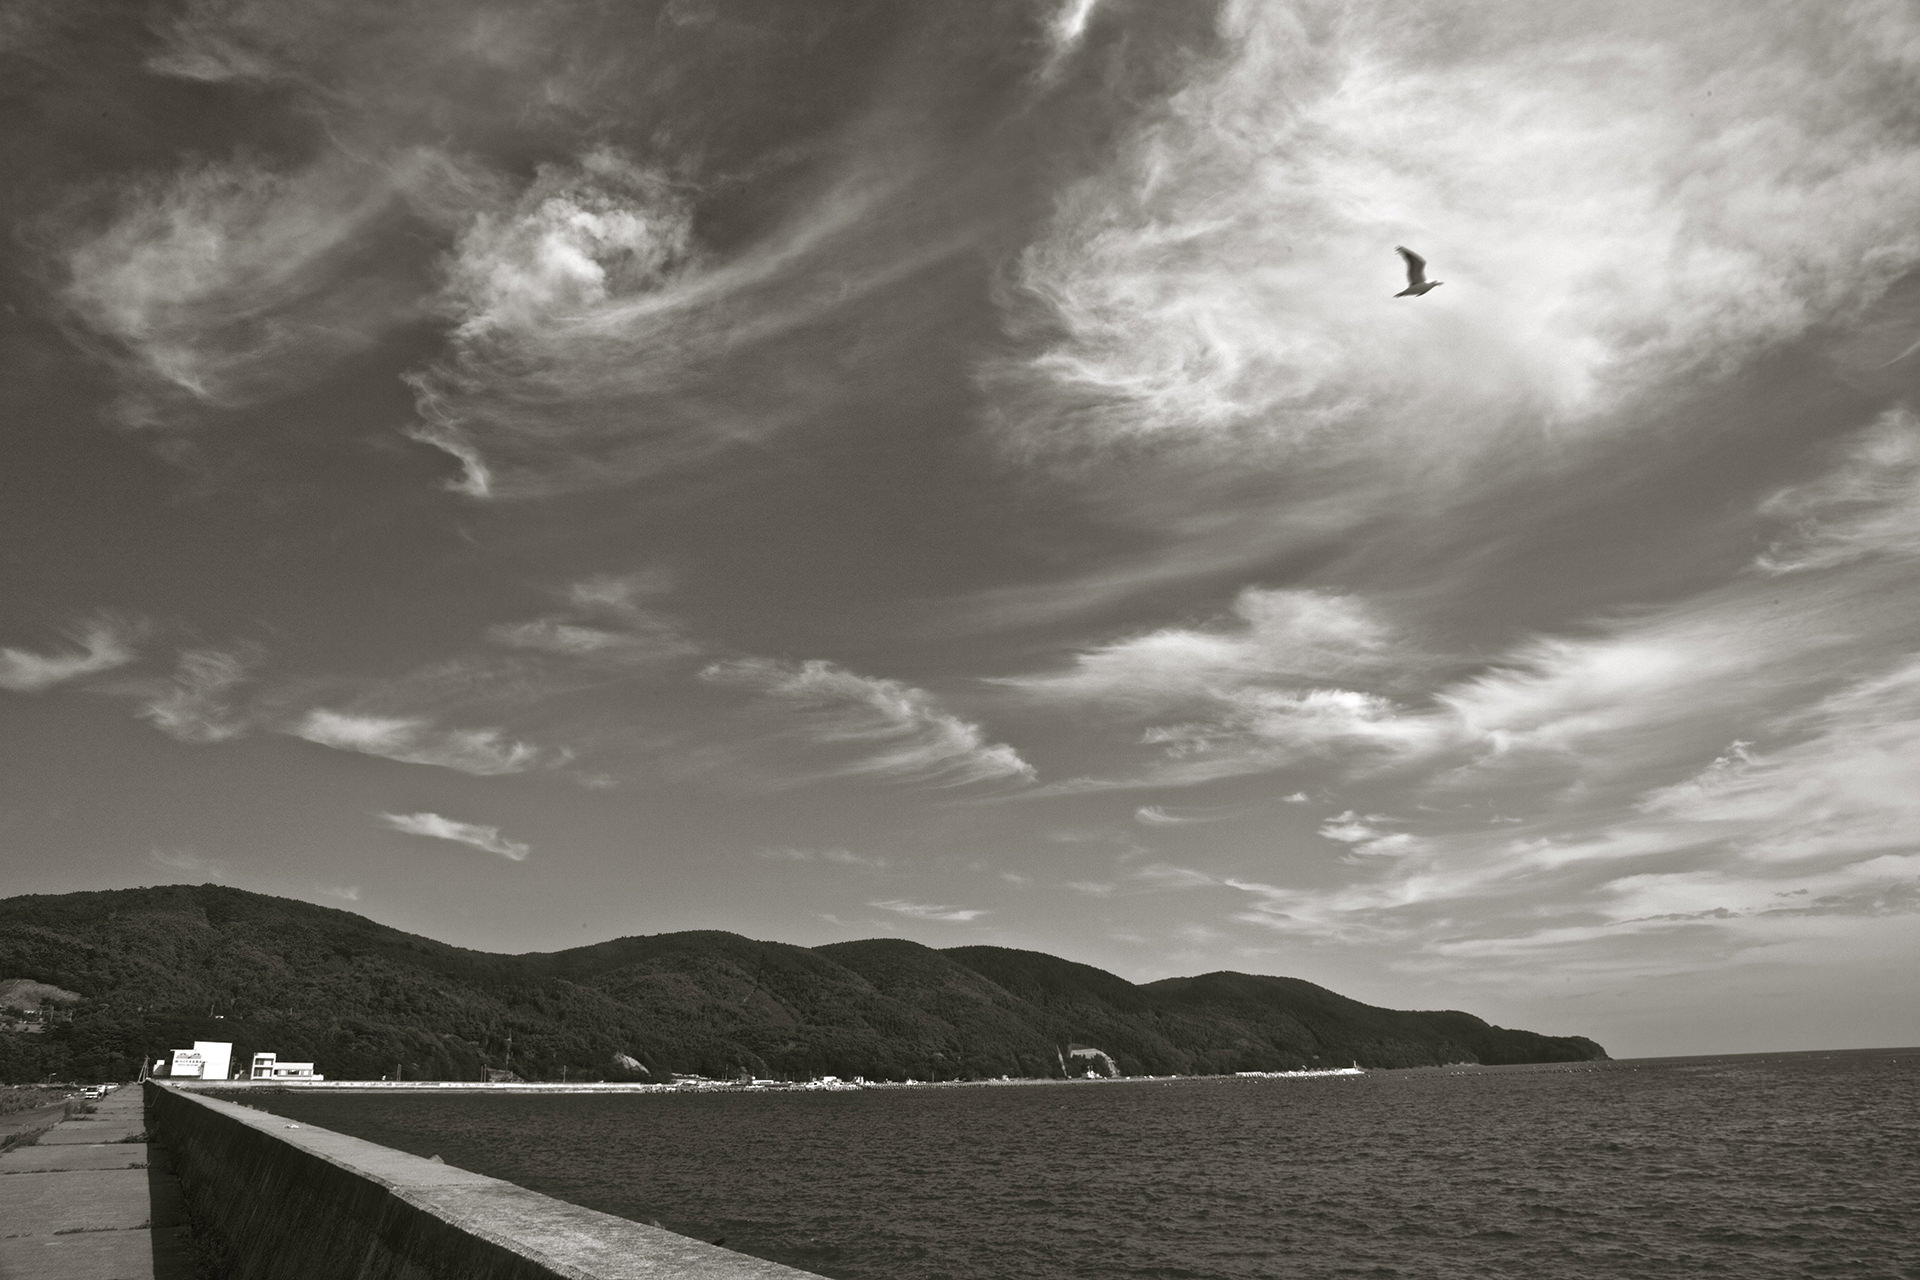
{"type": "Point", "coordinates": [93, 1202]}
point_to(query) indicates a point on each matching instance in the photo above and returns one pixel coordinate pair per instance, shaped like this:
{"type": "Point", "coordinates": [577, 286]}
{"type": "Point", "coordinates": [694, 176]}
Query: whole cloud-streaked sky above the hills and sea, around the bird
{"type": "Point", "coordinates": [836, 469]}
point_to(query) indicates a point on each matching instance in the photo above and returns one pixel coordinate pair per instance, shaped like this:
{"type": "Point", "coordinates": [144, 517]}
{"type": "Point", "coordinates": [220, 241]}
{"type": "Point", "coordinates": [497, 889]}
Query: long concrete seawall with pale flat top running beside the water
{"type": "Point", "coordinates": [295, 1202]}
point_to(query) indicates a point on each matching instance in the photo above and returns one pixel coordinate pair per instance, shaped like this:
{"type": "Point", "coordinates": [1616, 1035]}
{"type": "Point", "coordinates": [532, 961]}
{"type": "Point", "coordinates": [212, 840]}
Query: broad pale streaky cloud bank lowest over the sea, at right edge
{"type": "Point", "coordinates": [1744, 853]}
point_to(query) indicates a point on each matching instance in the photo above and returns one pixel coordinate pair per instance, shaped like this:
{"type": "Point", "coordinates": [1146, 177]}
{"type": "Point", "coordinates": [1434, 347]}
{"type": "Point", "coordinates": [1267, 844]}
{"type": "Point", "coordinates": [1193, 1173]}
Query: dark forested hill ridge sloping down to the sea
{"type": "Point", "coordinates": [160, 968]}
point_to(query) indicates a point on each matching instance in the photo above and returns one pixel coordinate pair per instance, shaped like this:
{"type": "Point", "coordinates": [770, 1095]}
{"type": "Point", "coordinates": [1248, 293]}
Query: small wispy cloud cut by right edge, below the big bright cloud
{"type": "Point", "coordinates": [1865, 508]}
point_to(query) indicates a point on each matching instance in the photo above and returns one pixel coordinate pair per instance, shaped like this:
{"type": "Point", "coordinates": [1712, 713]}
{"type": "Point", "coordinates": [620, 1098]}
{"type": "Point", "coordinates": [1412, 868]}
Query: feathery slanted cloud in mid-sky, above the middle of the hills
{"type": "Point", "coordinates": [886, 728]}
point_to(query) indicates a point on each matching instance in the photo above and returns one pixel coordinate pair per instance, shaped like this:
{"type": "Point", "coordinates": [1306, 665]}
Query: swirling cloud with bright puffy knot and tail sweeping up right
{"type": "Point", "coordinates": [590, 325]}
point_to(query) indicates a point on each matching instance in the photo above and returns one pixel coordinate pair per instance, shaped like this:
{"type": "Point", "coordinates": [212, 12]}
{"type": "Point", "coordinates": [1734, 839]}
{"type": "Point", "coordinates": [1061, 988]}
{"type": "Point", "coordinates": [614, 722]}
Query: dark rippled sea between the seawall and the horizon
{"type": "Point", "coordinates": [1764, 1166]}
